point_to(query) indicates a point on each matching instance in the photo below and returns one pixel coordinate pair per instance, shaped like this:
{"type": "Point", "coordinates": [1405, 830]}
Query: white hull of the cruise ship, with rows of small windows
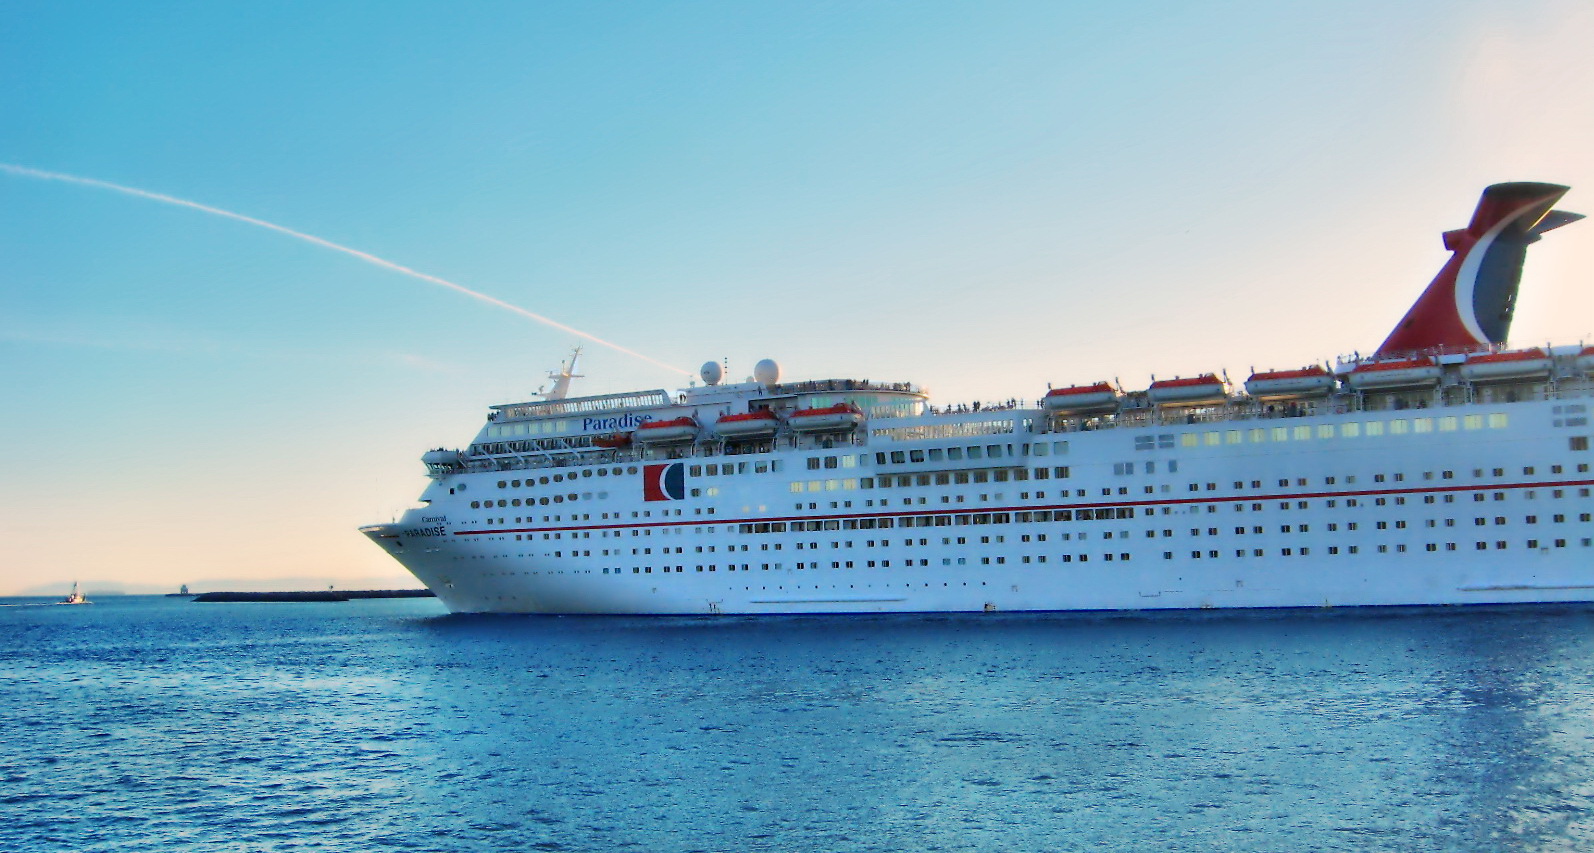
{"type": "Point", "coordinates": [1477, 505]}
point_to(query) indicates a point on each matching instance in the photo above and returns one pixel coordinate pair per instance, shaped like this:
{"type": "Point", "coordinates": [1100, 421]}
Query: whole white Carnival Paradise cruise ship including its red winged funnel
{"type": "Point", "coordinates": [1445, 470]}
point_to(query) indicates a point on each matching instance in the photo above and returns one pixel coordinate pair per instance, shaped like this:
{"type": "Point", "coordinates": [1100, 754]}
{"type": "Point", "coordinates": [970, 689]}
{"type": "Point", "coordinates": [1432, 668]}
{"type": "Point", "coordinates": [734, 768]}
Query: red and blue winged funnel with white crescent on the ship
{"type": "Point", "coordinates": [1469, 305]}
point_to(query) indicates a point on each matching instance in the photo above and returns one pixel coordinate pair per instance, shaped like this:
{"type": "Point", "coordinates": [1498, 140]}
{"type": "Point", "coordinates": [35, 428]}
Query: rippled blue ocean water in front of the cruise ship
{"type": "Point", "coordinates": [160, 725]}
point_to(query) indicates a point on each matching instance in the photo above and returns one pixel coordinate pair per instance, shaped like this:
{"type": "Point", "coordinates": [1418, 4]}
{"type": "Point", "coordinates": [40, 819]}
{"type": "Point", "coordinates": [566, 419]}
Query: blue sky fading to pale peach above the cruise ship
{"type": "Point", "coordinates": [978, 197]}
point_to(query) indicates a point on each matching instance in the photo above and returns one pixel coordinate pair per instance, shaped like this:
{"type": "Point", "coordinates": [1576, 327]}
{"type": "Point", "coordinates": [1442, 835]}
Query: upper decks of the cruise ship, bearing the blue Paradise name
{"type": "Point", "coordinates": [602, 430]}
